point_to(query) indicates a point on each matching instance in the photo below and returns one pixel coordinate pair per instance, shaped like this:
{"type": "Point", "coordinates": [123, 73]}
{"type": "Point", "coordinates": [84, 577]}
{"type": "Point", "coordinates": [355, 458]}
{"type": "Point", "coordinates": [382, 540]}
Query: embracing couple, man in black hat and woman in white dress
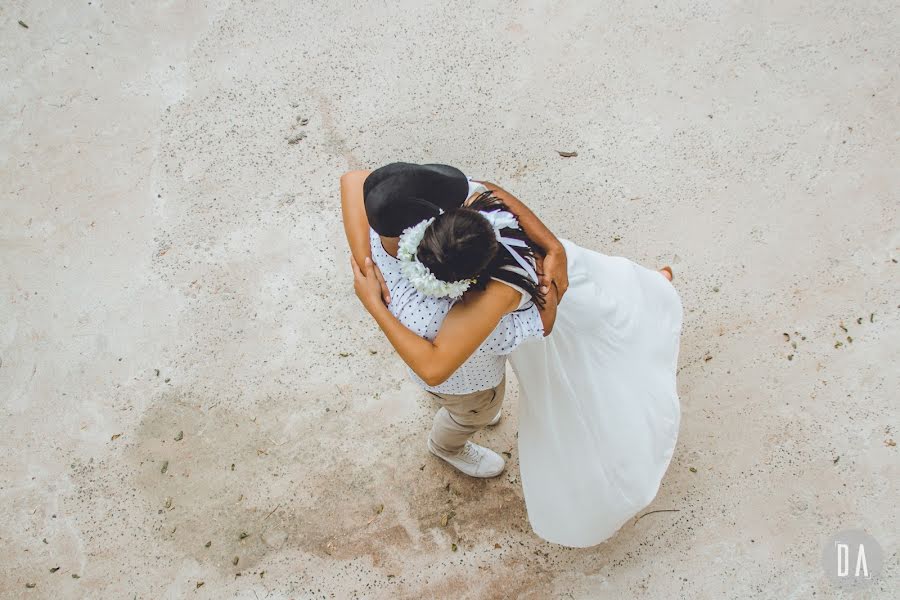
{"type": "Point", "coordinates": [461, 276]}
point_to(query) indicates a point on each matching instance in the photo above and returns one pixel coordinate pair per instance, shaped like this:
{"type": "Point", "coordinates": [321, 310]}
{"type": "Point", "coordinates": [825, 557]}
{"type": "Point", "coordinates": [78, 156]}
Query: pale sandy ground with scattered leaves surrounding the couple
{"type": "Point", "coordinates": [170, 263]}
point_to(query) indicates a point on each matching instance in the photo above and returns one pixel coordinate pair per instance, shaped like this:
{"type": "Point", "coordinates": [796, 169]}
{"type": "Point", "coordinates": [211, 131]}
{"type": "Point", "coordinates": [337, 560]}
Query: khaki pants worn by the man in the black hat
{"type": "Point", "coordinates": [461, 415]}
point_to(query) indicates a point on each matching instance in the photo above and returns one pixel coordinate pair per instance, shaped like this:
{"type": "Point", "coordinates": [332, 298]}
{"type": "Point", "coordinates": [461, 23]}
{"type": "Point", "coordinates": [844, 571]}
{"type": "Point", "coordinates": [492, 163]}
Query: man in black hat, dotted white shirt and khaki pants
{"type": "Point", "coordinates": [400, 195]}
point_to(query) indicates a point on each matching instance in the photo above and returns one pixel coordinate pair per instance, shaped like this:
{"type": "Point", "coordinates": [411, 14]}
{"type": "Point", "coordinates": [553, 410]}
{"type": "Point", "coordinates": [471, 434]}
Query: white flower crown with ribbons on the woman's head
{"type": "Point", "coordinates": [424, 280]}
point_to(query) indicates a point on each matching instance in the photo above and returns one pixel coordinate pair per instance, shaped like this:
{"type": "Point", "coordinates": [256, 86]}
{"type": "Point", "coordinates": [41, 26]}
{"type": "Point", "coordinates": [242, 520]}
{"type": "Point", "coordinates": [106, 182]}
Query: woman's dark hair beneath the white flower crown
{"type": "Point", "coordinates": [461, 244]}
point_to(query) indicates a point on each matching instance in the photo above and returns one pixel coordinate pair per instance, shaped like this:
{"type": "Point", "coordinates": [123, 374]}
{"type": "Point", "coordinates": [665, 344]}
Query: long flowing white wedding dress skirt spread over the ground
{"type": "Point", "coordinates": [599, 410]}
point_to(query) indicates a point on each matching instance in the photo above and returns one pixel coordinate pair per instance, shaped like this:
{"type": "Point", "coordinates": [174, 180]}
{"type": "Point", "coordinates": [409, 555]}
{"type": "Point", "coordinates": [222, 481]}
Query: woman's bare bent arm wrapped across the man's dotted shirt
{"type": "Point", "coordinates": [466, 327]}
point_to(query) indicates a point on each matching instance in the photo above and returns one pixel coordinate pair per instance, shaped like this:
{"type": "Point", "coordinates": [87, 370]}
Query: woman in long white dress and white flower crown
{"type": "Point", "coordinates": [599, 411]}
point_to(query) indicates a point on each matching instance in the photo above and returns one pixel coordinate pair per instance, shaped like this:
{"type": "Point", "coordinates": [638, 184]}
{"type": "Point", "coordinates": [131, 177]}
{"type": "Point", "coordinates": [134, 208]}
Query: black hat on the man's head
{"type": "Point", "coordinates": [399, 195]}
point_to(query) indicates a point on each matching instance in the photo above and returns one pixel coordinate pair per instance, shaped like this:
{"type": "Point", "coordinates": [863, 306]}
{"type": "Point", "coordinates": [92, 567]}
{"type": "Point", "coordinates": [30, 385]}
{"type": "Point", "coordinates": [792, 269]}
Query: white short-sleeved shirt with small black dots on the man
{"type": "Point", "coordinates": [424, 315]}
